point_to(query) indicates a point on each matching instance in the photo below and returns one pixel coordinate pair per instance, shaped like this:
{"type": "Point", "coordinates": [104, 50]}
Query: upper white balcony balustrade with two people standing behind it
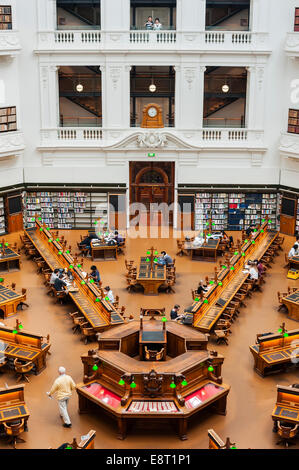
{"type": "Point", "coordinates": [205, 41]}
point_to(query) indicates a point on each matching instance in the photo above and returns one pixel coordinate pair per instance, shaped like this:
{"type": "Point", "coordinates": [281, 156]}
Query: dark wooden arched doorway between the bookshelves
{"type": "Point", "coordinates": [152, 184]}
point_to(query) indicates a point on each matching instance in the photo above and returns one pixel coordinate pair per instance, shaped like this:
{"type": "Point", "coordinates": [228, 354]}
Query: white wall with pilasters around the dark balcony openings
{"type": "Point", "coordinates": [31, 83]}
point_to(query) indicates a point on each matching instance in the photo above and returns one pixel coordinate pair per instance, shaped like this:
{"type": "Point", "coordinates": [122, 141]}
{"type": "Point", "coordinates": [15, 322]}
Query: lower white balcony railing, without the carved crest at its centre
{"type": "Point", "coordinates": [101, 137]}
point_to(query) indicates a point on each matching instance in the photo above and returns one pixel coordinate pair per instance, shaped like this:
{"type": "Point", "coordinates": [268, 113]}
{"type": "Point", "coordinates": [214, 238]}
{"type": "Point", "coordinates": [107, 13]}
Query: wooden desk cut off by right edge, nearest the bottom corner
{"type": "Point", "coordinates": [287, 406]}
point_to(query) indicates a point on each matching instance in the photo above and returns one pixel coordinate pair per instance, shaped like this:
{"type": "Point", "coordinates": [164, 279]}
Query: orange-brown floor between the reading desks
{"type": "Point", "coordinates": [250, 401]}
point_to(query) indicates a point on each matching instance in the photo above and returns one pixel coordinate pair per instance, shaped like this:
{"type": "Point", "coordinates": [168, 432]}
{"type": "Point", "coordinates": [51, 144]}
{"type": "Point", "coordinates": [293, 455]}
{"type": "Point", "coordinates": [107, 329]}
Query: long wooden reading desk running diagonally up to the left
{"type": "Point", "coordinates": [98, 312]}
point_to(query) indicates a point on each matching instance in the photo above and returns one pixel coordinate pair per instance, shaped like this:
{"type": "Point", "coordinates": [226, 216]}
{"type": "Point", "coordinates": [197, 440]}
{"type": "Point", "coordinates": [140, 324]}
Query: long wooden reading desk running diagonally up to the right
{"type": "Point", "coordinates": [208, 311]}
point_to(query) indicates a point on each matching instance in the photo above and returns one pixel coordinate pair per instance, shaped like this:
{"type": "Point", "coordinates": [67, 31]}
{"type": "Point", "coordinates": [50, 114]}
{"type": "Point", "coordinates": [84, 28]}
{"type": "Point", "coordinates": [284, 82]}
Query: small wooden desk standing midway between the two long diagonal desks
{"type": "Point", "coordinates": [151, 280]}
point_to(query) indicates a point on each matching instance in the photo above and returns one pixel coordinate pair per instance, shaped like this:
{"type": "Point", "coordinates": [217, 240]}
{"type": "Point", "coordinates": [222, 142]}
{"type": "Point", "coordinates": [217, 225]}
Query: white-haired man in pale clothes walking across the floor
{"type": "Point", "coordinates": [62, 389]}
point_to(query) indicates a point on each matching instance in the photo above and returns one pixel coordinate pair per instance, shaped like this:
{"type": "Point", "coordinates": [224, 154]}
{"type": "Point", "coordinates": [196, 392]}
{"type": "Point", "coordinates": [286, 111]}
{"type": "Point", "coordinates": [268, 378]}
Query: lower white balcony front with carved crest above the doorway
{"type": "Point", "coordinates": [166, 138]}
